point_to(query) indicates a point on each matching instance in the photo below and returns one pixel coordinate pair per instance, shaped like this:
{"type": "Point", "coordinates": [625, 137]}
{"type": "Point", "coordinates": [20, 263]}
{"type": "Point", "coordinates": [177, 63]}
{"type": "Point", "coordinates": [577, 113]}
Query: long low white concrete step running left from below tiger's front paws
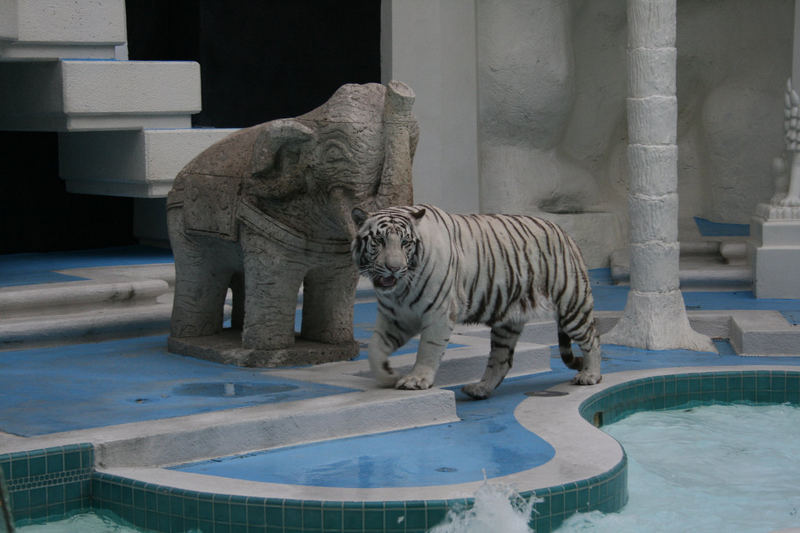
{"type": "Point", "coordinates": [221, 433]}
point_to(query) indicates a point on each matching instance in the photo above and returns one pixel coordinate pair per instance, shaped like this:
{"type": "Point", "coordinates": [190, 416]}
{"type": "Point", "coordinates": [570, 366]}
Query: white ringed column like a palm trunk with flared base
{"type": "Point", "coordinates": [655, 317]}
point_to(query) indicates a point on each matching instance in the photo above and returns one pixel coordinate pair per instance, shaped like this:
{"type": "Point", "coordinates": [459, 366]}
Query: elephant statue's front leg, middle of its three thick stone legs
{"type": "Point", "coordinates": [272, 279]}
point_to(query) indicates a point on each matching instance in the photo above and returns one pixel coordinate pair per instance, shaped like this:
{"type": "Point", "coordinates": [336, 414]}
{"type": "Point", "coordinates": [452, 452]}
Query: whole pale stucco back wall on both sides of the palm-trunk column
{"type": "Point", "coordinates": [551, 84]}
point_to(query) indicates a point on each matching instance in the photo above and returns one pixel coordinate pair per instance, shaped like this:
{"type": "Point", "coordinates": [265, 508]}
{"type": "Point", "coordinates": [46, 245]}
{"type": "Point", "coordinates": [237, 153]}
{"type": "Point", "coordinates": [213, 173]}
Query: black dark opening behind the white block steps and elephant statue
{"type": "Point", "coordinates": [260, 60]}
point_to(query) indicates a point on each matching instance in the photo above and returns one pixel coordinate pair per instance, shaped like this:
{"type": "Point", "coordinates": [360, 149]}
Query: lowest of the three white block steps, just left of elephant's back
{"type": "Point", "coordinates": [141, 164]}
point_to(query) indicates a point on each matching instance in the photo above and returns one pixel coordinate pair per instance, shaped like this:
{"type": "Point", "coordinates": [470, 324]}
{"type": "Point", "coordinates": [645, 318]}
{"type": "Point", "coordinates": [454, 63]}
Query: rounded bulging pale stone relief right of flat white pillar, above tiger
{"type": "Point", "coordinates": [526, 88]}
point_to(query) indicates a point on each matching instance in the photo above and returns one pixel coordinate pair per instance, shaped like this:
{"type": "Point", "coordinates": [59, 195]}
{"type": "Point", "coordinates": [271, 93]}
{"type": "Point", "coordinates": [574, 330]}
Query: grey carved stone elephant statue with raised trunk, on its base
{"type": "Point", "coordinates": [267, 209]}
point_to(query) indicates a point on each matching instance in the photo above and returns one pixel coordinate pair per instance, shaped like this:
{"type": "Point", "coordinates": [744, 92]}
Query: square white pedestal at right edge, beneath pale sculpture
{"type": "Point", "coordinates": [774, 251]}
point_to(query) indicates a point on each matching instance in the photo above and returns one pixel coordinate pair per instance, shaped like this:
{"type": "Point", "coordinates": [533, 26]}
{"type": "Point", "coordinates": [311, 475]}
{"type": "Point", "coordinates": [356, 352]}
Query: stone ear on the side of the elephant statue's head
{"type": "Point", "coordinates": [278, 161]}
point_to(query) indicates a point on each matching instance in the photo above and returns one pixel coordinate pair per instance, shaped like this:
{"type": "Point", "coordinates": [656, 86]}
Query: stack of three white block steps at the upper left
{"type": "Point", "coordinates": [124, 126]}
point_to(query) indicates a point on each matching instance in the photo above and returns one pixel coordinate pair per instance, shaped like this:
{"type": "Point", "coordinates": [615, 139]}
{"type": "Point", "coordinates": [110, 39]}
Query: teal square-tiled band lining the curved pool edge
{"type": "Point", "coordinates": [60, 481]}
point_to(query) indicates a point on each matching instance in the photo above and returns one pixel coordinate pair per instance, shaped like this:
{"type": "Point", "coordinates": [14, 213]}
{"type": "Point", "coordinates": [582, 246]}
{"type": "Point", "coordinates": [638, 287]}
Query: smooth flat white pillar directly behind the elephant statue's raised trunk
{"type": "Point", "coordinates": [430, 45]}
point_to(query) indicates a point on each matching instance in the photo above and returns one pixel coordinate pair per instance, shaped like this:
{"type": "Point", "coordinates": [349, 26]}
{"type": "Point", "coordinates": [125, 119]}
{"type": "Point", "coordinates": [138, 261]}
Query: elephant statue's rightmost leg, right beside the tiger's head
{"type": "Point", "coordinates": [328, 298]}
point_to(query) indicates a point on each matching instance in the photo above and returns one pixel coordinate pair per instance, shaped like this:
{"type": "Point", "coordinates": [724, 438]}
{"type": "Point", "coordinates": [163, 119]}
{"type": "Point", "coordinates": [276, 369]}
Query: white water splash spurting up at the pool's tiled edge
{"type": "Point", "coordinates": [496, 508]}
